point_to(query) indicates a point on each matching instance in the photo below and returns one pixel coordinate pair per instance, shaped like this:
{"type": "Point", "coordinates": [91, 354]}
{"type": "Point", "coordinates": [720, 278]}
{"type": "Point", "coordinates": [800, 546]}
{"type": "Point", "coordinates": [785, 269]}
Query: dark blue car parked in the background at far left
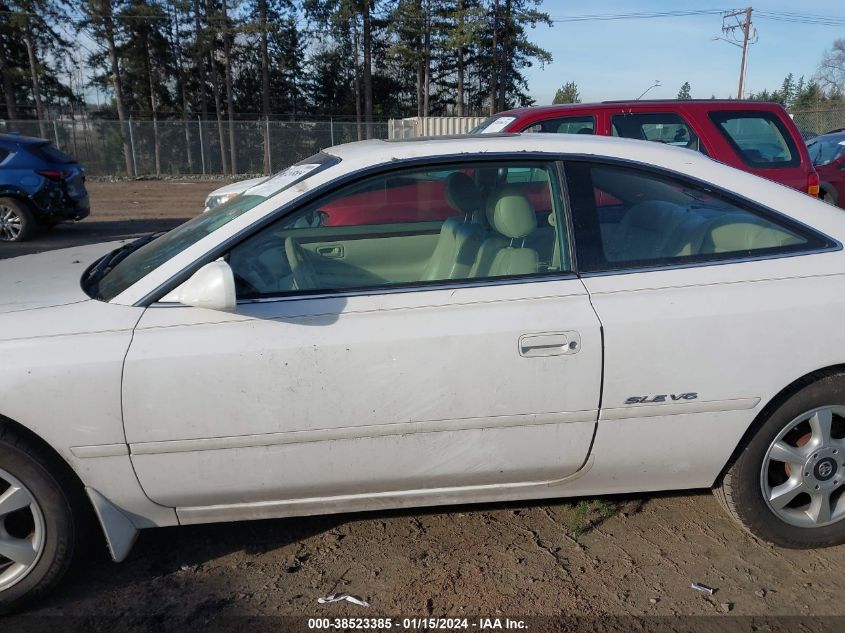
{"type": "Point", "coordinates": [39, 186]}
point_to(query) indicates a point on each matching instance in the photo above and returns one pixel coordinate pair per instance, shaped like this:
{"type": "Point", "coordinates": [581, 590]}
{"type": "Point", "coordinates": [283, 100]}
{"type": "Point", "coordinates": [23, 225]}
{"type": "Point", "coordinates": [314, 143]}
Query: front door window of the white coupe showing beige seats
{"type": "Point", "coordinates": [411, 226]}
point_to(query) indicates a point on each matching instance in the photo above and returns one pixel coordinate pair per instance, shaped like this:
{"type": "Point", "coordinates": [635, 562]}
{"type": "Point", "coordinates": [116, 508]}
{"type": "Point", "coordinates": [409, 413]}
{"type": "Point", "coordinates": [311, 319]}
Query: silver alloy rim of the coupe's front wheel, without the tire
{"type": "Point", "coordinates": [21, 531]}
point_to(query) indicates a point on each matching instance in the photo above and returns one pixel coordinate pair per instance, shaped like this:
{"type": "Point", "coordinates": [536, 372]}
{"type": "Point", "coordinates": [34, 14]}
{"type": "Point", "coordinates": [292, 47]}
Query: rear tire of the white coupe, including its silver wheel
{"type": "Point", "coordinates": [764, 474]}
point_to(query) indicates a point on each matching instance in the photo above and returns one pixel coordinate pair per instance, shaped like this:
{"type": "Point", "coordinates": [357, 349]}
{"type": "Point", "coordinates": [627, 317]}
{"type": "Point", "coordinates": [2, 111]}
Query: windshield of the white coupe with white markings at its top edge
{"type": "Point", "coordinates": [121, 268]}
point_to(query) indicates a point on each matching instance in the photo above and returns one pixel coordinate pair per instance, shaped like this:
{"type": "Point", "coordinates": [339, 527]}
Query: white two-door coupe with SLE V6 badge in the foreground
{"type": "Point", "coordinates": [418, 323]}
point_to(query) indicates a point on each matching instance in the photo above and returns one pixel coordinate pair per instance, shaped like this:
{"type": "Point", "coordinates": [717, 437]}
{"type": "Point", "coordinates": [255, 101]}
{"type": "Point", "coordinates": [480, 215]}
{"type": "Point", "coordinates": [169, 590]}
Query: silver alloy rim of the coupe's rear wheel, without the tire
{"type": "Point", "coordinates": [803, 470]}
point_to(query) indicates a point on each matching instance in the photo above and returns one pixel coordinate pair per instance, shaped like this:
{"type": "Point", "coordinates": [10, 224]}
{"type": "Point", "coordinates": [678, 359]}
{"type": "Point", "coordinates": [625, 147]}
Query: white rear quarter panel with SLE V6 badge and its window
{"type": "Point", "coordinates": [701, 296]}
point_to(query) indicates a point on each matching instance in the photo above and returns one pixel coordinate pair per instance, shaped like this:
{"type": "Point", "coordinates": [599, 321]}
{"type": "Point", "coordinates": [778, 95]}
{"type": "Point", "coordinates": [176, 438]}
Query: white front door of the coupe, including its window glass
{"type": "Point", "coordinates": [387, 352]}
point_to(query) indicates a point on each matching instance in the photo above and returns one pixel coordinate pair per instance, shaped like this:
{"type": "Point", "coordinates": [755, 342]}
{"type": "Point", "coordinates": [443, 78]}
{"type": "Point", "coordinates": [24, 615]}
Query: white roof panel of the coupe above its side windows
{"type": "Point", "coordinates": [374, 152]}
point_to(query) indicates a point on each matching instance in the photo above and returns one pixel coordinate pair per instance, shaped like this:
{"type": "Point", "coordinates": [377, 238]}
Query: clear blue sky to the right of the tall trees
{"type": "Point", "coordinates": [620, 59]}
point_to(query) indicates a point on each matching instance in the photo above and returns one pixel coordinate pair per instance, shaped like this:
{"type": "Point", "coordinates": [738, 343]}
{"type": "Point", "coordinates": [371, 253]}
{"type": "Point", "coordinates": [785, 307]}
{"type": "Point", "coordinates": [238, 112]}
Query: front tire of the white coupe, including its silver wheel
{"type": "Point", "coordinates": [48, 523]}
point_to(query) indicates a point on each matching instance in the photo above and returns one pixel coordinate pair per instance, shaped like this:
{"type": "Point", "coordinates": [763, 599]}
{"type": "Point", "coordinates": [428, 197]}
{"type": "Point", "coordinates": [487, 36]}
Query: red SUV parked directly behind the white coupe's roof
{"type": "Point", "coordinates": [753, 136]}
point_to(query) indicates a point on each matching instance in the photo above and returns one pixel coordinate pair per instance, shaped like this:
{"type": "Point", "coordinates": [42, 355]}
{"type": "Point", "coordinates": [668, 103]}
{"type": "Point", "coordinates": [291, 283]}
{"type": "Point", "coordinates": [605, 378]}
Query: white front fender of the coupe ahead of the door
{"type": "Point", "coordinates": [60, 378]}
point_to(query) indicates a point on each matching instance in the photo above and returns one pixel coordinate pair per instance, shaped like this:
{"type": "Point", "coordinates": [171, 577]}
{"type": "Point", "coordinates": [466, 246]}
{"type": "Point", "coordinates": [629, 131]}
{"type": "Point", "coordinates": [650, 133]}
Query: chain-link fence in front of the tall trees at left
{"type": "Point", "coordinates": [190, 147]}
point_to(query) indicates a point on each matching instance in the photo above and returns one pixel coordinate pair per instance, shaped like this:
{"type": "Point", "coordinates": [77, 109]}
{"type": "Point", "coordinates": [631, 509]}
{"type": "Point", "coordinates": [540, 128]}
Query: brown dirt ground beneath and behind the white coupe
{"type": "Point", "coordinates": [612, 556]}
